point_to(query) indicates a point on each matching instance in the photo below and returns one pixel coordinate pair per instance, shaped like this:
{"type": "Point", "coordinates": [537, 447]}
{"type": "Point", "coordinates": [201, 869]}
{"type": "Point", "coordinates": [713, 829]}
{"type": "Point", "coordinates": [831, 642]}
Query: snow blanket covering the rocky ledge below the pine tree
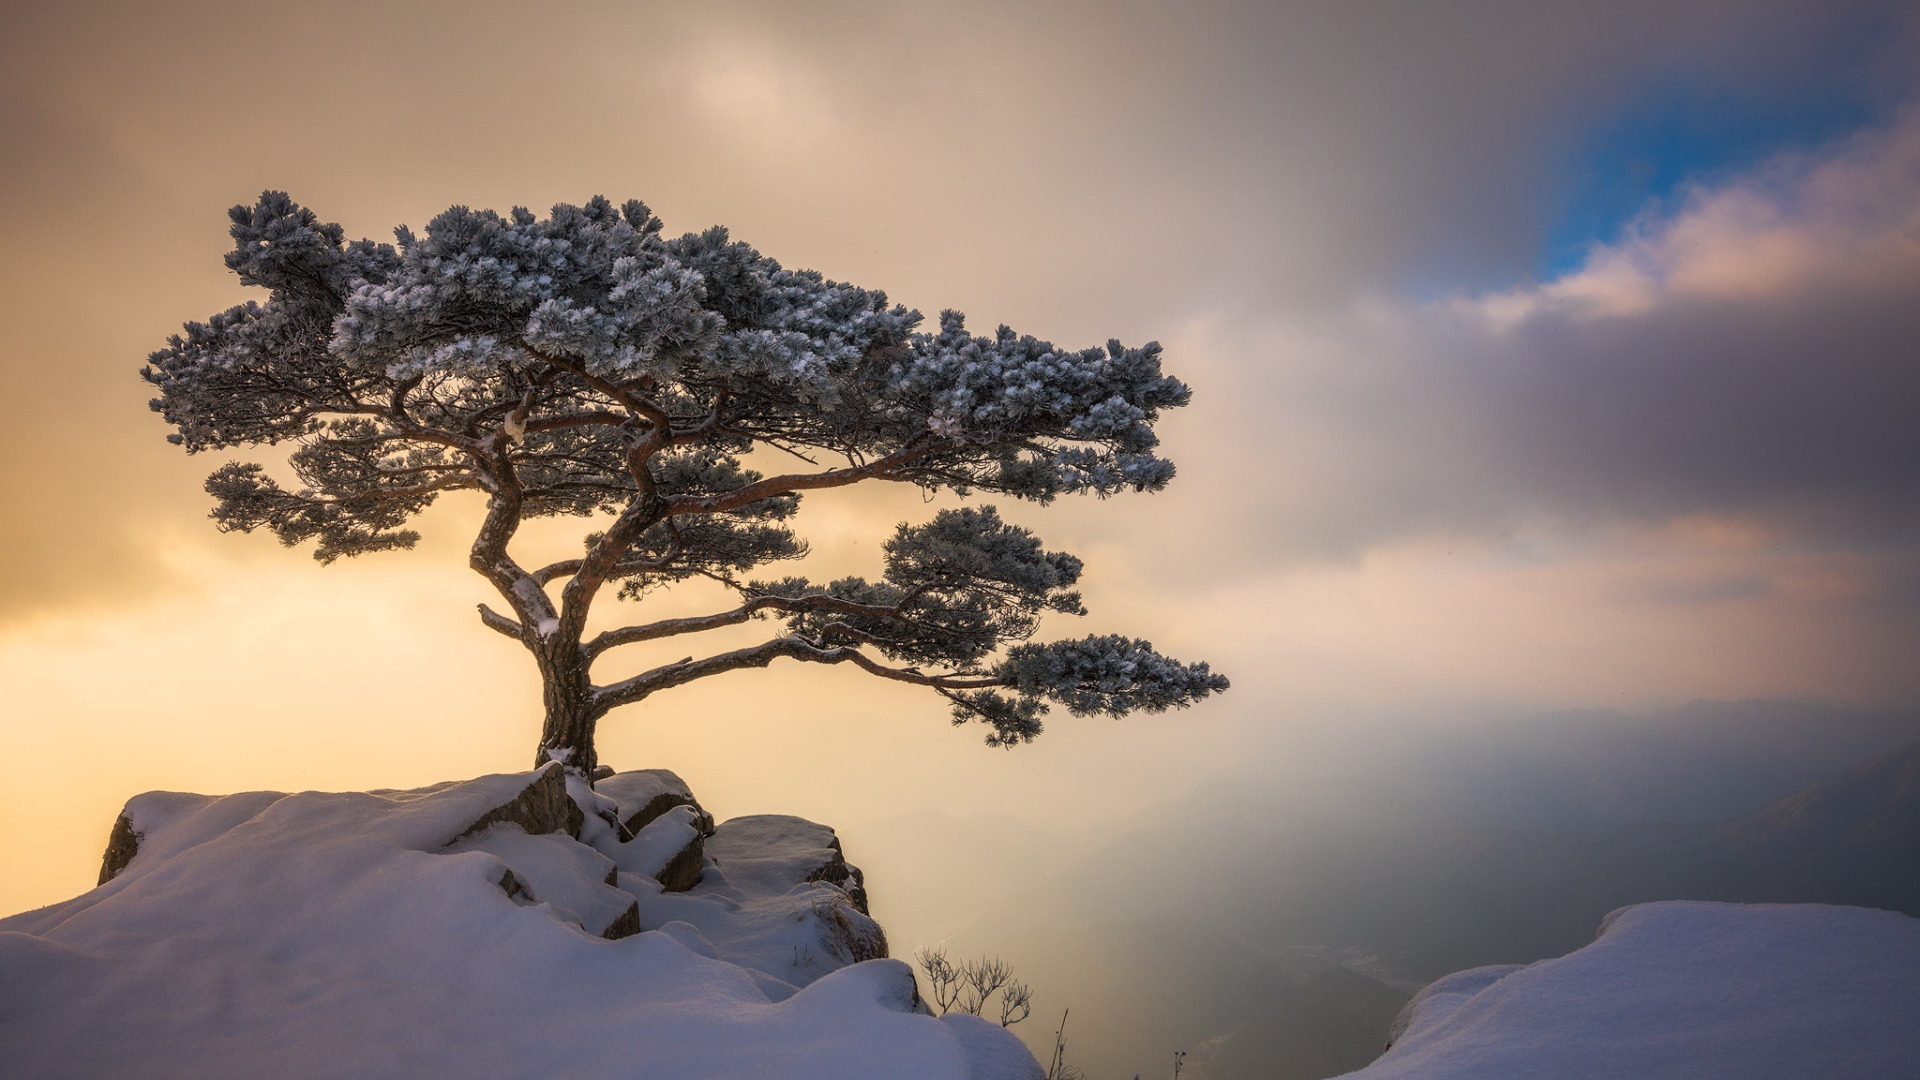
{"type": "Point", "coordinates": [339, 935]}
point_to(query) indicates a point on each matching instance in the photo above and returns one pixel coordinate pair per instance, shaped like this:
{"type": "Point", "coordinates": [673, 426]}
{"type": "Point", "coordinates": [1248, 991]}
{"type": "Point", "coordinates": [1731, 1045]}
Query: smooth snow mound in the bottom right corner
{"type": "Point", "coordinates": [1683, 991]}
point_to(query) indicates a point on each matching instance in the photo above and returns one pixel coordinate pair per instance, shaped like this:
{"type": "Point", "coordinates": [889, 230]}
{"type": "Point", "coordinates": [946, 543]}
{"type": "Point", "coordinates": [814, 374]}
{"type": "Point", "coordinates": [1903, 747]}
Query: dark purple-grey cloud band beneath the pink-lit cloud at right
{"type": "Point", "coordinates": [1794, 408]}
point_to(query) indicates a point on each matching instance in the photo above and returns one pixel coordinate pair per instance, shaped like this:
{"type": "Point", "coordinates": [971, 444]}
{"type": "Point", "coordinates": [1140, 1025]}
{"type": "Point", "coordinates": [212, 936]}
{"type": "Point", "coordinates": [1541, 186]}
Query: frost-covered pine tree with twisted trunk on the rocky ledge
{"type": "Point", "coordinates": [583, 364]}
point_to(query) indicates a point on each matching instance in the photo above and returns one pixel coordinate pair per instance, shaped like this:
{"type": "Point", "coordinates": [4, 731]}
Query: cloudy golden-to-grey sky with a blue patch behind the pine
{"type": "Point", "coordinates": [1543, 355]}
